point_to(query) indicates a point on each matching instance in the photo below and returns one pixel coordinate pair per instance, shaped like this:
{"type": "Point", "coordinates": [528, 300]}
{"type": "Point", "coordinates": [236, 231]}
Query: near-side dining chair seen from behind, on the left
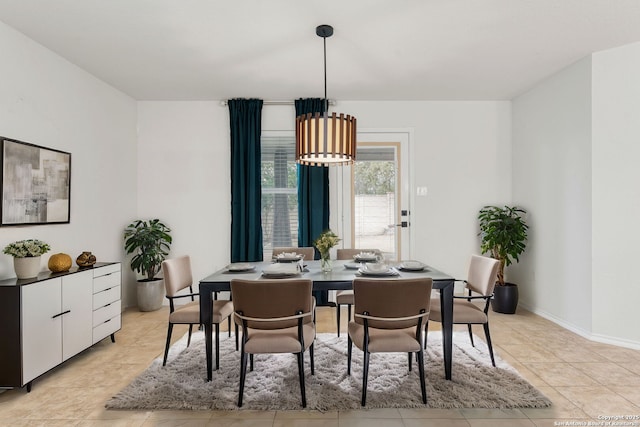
{"type": "Point", "coordinates": [282, 325]}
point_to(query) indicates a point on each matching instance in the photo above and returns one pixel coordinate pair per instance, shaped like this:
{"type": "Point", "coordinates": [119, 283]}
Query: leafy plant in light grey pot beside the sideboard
{"type": "Point", "coordinates": [149, 242]}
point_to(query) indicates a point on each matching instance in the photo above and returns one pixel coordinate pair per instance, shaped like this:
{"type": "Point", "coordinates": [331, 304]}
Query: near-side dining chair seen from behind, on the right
{"type": "Point", "coordinates": [389, 317]}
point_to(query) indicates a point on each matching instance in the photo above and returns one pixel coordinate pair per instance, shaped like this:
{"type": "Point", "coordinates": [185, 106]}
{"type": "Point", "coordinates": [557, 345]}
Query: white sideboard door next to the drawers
{"type": "Point", "coordinates": [77, 323]}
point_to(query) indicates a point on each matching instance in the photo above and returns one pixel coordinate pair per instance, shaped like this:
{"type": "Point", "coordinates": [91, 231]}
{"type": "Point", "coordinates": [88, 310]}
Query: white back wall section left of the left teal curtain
{"type": "Point", "coordinates": [184, 178]}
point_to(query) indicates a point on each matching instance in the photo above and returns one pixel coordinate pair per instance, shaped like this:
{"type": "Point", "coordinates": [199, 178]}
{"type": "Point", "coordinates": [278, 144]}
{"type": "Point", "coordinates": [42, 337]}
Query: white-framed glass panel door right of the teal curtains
{"type": "Point", "coordinates": [370, 200]}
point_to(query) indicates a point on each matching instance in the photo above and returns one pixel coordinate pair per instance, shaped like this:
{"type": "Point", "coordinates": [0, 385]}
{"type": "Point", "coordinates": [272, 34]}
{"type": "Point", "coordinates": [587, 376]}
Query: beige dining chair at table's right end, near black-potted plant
{"type": "Point", "coordinates": [481, 279]}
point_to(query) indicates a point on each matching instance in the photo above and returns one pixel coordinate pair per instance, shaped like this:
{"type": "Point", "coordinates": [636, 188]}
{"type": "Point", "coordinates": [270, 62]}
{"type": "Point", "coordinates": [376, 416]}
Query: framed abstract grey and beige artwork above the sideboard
{"type": "Point", "coordinates": [36, 184]}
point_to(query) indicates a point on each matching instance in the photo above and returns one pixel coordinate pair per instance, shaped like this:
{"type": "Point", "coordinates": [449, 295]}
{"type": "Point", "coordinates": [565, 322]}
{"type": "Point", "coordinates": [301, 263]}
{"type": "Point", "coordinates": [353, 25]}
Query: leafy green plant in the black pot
{"type": "Point", "coordinates": [503, 233]}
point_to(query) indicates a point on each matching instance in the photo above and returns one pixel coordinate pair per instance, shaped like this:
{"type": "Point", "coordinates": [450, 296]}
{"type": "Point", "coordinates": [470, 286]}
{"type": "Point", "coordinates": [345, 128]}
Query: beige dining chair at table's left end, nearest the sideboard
{"type": "Point", "coordinates": [177, 276]}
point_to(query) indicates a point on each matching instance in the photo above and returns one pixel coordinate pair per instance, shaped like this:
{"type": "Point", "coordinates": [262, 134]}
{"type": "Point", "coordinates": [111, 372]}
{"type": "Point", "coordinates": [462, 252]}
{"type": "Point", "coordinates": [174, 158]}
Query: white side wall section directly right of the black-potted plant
{"type": "Point", "coordinates": [552, 181]}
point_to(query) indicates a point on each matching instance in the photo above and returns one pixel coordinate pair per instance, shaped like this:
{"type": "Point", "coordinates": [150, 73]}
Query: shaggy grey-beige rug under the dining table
{"type": "Point", "coordinates": [274, 383]}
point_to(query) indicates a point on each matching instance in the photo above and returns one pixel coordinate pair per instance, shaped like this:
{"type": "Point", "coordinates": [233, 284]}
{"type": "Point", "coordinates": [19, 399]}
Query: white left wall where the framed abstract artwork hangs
{"type": "Point", "coordinates": [47, 101]}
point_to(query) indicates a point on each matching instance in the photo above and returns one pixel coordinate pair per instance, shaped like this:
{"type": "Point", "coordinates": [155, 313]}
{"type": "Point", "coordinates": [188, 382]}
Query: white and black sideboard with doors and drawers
{"type": "Point", "coordinates": [46, 320]}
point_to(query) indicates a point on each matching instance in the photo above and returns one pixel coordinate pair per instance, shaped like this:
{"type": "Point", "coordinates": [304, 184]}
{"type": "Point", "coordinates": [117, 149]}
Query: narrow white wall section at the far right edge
{"type": "Point", "coordinates": [616, 193]}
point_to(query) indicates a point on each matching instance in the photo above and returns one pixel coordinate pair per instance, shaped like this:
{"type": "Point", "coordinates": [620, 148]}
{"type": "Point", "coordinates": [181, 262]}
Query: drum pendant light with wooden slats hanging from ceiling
{"type": "Point", "coordinates": [323, 139]}
